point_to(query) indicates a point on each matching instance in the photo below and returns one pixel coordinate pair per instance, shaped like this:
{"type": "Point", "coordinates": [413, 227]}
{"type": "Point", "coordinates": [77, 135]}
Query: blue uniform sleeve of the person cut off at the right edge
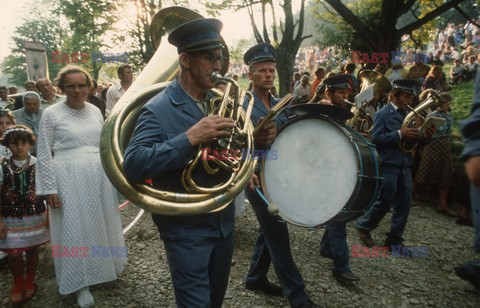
{"type": "Point", "coordinates": [471, 127]}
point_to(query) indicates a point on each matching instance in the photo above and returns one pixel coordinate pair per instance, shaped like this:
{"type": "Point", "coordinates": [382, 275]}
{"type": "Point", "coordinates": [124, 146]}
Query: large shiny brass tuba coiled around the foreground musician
{"type": "Point", "coordinates": [119, 127]}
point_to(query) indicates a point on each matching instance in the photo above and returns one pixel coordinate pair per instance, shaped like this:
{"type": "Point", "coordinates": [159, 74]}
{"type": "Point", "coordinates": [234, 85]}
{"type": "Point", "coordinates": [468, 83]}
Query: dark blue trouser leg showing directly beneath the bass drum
{"type": "Point", "coordinates": [334, 246]}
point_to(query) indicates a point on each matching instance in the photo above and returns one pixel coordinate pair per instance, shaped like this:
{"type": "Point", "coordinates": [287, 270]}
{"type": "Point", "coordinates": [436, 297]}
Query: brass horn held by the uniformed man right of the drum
{"type": "Point", "coordinates": [416, 117]}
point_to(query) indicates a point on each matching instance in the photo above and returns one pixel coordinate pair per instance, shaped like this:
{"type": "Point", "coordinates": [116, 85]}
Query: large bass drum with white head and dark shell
{"type": "Point", "coordinates": [322, 172]}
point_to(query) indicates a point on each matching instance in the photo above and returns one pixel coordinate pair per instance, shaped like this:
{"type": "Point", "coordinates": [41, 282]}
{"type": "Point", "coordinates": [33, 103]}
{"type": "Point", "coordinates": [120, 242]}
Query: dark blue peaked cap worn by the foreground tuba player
{"type": "Point", "coordinates": [197, 35]}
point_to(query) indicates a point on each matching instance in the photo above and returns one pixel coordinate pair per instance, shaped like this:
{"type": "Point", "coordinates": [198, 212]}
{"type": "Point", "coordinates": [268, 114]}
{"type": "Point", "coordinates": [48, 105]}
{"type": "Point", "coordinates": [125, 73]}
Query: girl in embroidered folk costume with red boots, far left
{"type": "Point", "coordinates": [23, 225]}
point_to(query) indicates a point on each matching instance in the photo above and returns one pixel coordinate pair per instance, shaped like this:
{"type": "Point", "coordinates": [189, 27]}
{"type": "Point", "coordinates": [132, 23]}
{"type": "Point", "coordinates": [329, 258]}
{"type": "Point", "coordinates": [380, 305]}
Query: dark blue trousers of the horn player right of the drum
{"type": "Point", "coordinates": [396, 192]}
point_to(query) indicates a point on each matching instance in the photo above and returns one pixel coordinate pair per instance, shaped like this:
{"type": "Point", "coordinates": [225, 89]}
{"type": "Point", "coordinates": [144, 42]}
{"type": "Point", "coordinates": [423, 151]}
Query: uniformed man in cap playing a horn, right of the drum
{"type": "Point", "coordinates": [396, 188]}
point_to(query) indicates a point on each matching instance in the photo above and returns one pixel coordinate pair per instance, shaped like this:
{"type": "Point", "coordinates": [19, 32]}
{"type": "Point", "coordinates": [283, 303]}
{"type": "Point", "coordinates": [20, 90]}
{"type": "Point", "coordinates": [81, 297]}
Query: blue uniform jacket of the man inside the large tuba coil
{"type": "Point", "coordinates": [160, 150]}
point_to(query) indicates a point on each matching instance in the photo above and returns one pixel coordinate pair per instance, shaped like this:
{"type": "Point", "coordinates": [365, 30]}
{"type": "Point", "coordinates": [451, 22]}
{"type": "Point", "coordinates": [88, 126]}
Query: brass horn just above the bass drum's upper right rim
{"type": "Point", "coordinates": [361, 121]}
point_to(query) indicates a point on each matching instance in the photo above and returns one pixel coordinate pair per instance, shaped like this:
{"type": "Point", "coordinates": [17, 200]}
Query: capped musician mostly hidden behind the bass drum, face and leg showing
{"type": "Point", "coordinates": [334, 240]}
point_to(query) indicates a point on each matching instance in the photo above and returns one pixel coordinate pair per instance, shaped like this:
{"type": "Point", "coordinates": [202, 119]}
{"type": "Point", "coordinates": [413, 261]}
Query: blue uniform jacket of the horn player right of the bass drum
{"type": "Point", "coordinates": [386, 122]}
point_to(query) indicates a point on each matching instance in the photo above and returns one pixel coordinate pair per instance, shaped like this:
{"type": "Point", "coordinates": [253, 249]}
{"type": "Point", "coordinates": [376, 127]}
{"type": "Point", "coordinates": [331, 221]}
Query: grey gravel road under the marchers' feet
{"type": "Point", "coordinates": [385, 281]}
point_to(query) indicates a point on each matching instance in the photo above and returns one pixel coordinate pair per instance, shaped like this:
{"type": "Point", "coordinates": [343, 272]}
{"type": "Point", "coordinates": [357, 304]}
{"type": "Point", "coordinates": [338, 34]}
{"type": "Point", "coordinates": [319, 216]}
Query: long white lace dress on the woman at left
{"type": "Point", "coordinates": [89, 216]}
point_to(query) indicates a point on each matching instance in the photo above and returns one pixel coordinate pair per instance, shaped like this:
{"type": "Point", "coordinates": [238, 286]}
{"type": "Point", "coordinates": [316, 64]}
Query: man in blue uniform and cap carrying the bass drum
{"type": "Point", "coordinates": [272, 244]}
